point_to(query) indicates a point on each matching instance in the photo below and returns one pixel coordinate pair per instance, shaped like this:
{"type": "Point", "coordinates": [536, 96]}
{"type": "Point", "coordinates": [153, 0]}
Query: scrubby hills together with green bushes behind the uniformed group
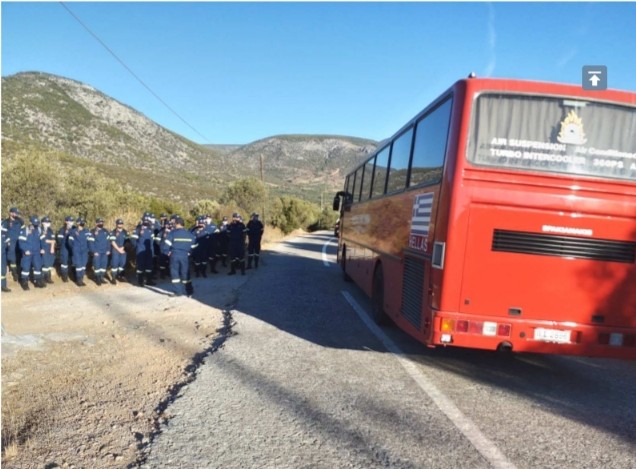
{"type": "Point", "coordinates": [68, 149]}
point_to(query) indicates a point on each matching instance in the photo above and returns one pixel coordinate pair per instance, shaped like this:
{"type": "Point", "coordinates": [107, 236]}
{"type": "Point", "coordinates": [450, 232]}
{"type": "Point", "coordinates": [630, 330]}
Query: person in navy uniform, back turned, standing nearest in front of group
{"type": "Point", "coordinates": [180, 244]}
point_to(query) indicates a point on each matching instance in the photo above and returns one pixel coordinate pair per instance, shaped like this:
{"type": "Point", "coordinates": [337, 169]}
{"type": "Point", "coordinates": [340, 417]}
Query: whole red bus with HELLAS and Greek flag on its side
{"type": "Point", "coordinates": [502, 217]}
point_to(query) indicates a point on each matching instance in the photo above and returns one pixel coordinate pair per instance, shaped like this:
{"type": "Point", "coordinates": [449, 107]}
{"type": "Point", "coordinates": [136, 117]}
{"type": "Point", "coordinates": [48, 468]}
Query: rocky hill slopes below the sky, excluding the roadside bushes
{"type": "Point", "coordinates": [48, 111]}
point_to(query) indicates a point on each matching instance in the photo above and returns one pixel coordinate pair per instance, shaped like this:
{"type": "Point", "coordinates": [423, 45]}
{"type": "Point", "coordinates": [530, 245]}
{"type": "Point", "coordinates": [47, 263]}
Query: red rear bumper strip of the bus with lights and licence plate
{"type": "Point", "coordinates": [533, 336]}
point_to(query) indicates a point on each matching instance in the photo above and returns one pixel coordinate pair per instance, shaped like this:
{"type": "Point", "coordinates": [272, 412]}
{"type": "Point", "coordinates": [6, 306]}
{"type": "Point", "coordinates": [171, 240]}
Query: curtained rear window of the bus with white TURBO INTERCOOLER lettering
{"type": "Point", "coordinates": [558, 135]}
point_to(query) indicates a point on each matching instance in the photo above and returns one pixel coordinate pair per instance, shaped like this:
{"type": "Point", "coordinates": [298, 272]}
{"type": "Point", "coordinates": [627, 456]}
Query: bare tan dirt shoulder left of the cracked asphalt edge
{"type": "Point", "coordinates": [88, 372]}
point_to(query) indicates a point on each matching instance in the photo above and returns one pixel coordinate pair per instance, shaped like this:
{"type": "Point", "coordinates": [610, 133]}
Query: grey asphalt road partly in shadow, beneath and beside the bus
{"type": "Point", "coordinates": [304, 379]}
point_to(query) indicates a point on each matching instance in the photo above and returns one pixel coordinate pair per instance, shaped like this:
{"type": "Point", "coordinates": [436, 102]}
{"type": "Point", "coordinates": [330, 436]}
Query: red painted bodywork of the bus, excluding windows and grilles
{"type": "Point", "coordinates": [525, 302]}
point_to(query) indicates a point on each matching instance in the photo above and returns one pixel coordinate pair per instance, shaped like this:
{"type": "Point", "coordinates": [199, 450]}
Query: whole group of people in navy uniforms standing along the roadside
{"type": "Point", "coordinates": [161, 246]}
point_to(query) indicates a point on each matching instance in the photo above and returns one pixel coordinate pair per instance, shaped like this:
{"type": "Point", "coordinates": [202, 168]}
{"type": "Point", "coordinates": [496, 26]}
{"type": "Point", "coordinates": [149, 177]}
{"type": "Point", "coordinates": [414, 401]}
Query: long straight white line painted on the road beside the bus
{"type": "Point", "coordinates": [481, 443]}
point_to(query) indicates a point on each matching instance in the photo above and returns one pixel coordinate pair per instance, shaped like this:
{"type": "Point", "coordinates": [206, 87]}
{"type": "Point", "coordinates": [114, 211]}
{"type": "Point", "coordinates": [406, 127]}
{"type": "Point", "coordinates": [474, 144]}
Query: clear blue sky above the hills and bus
{"type": "Point", "coordinates": [234, 73]}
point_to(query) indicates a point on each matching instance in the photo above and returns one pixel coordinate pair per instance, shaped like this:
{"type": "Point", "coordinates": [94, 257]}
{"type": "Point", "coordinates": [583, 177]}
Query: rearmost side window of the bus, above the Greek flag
{"type": "Point", "coordinates": [430, 146]}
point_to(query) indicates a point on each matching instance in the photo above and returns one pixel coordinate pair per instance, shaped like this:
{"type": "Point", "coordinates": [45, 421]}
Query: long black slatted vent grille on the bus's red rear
{"type": "Point", "coordinates": [564, 246]}
